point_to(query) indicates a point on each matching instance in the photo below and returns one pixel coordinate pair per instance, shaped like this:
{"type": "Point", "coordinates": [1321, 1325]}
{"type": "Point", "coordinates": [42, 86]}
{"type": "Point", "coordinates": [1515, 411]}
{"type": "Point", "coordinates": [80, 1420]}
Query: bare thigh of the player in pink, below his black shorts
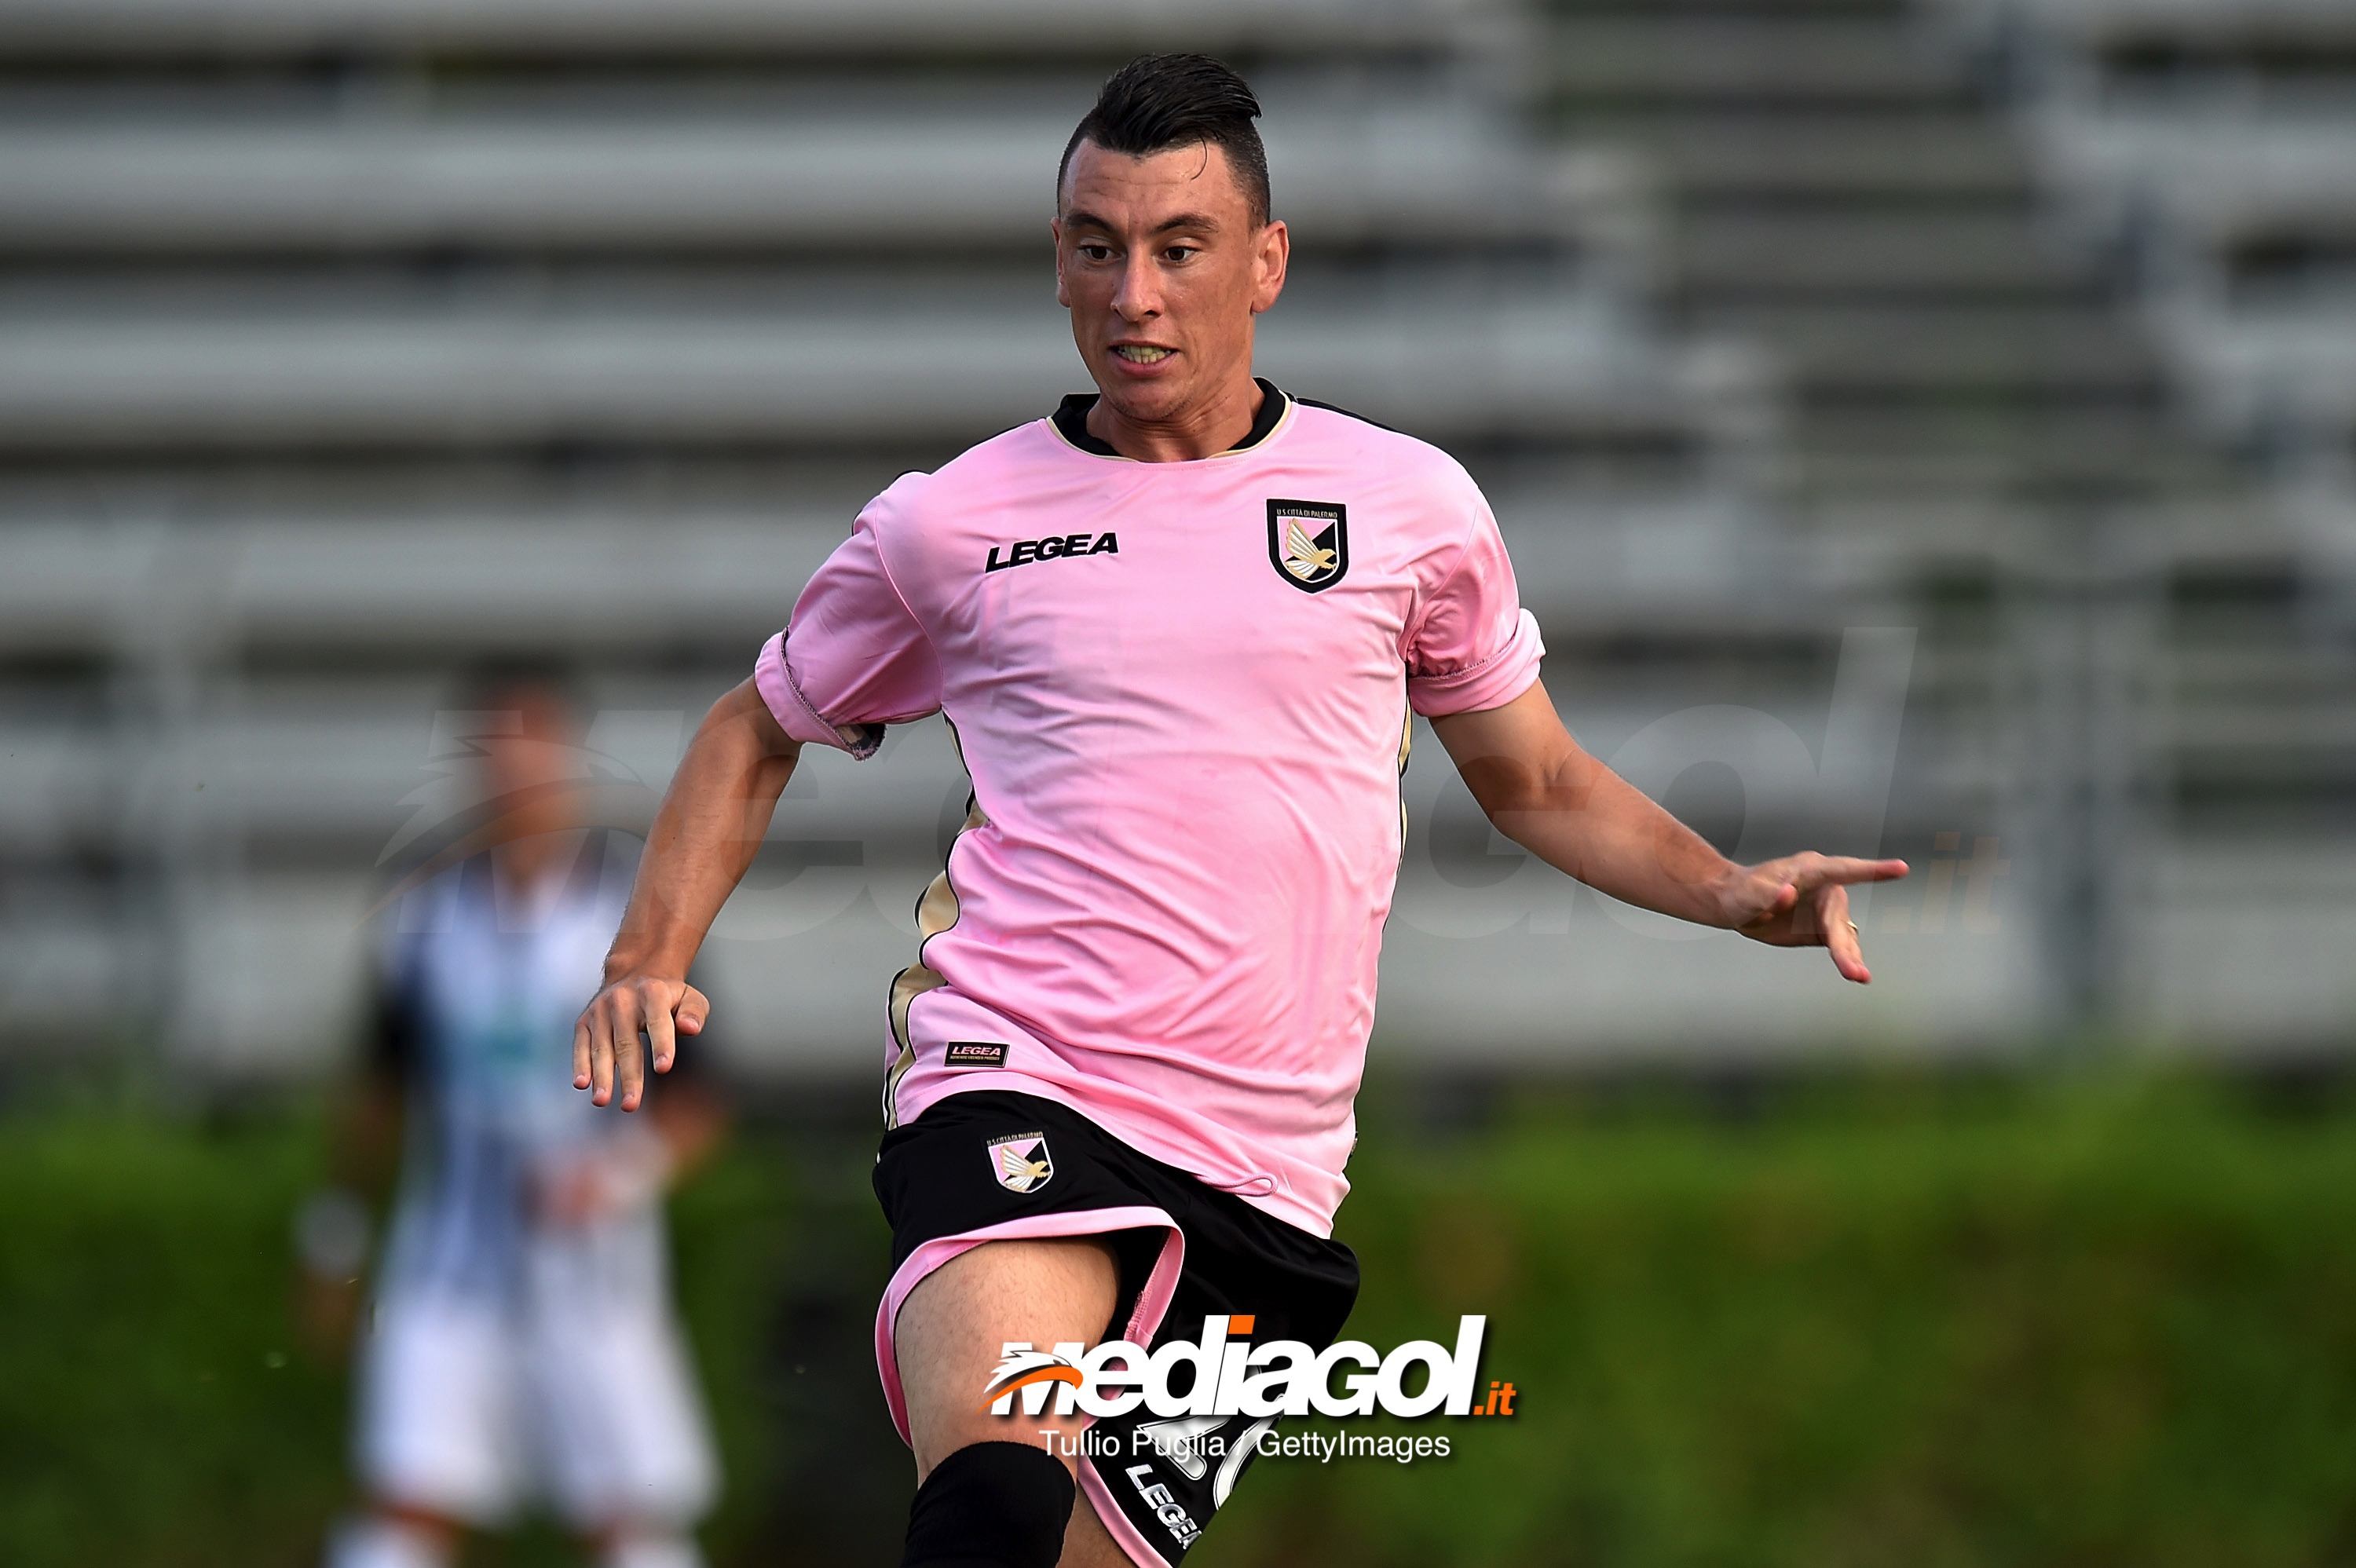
{"type": "Point", "coordinates": [958, 1322]}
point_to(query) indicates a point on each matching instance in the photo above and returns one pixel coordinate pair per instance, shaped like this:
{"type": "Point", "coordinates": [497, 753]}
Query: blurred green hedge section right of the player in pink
{"type": "Point", "coordinates": [2105, 1324]}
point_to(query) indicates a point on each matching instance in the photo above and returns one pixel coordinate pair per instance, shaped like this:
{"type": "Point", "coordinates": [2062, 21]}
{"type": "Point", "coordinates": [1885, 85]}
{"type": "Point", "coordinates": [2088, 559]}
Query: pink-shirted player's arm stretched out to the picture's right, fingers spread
{"type": "Point", "coordinates": [1547, 795]}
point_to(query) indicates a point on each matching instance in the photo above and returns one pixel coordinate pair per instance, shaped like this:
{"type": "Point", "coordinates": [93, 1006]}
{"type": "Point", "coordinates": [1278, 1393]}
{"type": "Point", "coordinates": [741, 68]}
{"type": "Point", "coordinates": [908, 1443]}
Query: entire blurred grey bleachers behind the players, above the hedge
{"type": "Point", "coordinates": [345, 343]}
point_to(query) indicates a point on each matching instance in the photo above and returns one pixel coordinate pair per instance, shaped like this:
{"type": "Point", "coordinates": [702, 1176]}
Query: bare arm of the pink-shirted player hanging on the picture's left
{"type": "Point", "coordinates": [703, 842]}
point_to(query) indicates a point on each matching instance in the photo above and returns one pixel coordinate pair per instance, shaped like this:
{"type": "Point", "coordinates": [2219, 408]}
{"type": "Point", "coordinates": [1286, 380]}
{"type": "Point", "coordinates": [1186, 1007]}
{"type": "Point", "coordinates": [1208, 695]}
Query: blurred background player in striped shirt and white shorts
{"type": "Point", "coordinates": [527, 1240]}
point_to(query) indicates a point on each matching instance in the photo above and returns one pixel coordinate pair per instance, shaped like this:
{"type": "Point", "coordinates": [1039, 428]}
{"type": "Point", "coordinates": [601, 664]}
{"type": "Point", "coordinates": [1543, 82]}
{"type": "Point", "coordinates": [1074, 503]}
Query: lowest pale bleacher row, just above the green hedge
{"type": "Point", "coordinates": [272, 971]}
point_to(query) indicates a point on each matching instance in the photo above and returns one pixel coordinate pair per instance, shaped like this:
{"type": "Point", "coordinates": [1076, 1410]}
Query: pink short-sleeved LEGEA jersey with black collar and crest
{"type": "Point", "coordinates": [1184, 698]}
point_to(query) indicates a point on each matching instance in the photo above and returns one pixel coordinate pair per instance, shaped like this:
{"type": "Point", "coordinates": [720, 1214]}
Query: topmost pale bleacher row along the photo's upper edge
{"type": "Point", "coordinates": [128, 29]}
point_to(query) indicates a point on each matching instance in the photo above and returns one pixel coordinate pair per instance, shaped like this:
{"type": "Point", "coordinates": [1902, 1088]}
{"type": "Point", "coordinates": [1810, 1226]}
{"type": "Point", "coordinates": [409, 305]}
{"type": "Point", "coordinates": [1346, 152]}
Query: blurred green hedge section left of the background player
{"type": "Point", "coordinates": [150, 1404]}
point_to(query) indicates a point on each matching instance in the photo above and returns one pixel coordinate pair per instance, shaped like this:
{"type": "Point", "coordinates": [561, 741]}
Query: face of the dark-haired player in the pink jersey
{"type": "Point", "coordinates": [1163, 270]}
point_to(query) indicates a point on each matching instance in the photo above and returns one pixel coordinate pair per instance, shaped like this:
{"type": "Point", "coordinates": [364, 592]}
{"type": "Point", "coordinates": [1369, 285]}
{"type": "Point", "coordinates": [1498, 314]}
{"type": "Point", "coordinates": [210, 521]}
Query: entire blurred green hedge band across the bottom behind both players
{"type": "Point", "coordinates": [2077, 1324]}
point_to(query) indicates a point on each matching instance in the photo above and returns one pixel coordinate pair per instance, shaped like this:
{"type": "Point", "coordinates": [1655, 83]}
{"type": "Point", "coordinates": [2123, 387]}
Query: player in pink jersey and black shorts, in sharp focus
{"type": "Point", "coordinates": [1182, 630]}
